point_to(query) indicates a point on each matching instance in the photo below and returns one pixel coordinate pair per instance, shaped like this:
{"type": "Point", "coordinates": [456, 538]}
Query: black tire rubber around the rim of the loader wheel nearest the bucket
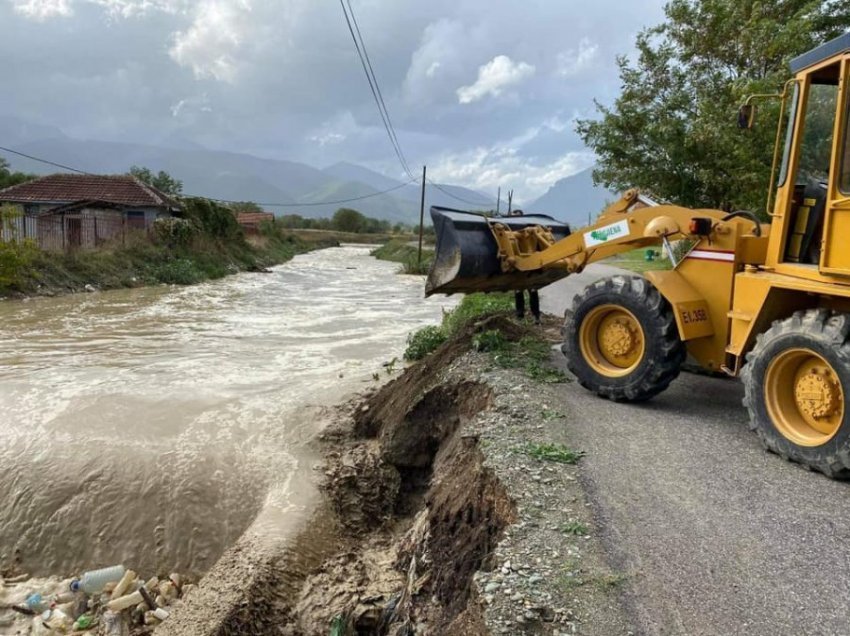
{"type": "Point", "coordinates": [665, 351]}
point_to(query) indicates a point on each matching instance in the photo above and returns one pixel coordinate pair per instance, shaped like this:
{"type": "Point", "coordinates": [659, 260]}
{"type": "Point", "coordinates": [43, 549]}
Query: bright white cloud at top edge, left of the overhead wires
{"type": "Point", "coordinates": [210, 45]}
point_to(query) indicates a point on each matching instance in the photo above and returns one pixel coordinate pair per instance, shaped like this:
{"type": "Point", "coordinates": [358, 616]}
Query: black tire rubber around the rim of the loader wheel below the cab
{"type": "Point", "coordinates": [827, 333]}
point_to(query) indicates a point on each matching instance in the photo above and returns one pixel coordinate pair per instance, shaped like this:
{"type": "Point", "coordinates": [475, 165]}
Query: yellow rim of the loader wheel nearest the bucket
{"type": "Point", "coordinates": [612, 340]}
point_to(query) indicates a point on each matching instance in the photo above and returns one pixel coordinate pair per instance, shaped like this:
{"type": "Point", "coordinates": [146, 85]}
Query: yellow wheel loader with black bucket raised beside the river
{"type": "Point", "coordinates": [767, 302]}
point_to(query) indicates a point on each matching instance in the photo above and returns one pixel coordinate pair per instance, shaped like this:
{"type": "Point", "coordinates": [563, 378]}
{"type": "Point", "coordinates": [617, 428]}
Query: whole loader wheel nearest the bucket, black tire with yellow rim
{"type": "Point", "coordinates": [621, 340]}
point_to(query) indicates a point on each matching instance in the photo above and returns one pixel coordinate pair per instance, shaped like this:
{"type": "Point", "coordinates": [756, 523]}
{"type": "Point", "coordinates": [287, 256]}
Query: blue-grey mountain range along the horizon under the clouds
{"type": "Point", "coordinates": [284, 187]}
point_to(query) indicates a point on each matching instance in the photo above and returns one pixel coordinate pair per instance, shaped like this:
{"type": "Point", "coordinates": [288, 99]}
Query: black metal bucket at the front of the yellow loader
{"type": "Point", "coordinates": [467, 257]}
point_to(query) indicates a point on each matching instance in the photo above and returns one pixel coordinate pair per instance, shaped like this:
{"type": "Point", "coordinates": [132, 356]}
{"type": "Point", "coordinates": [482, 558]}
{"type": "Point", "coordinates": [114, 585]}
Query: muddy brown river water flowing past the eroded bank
{"type": "Point", "coordinates": [154, 426]}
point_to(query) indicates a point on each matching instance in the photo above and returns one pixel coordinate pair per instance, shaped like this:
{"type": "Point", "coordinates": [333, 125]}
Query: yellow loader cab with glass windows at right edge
{"type": "Point", "coordinates": [811, 217]}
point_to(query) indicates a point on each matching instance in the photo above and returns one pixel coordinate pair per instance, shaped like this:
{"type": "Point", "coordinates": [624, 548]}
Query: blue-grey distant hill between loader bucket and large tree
{"type": "Point", "coordinates": [573, 199]}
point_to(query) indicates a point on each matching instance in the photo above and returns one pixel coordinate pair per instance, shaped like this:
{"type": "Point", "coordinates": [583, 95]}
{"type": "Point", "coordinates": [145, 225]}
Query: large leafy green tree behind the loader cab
{"type": "Point", "coordinates": [672, 131]}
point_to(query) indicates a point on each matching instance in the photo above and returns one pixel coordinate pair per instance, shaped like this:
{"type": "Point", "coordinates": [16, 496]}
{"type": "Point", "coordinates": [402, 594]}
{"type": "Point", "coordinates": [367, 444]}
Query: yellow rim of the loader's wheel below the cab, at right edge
{"type": "Point", "coordinates": [804, 397]}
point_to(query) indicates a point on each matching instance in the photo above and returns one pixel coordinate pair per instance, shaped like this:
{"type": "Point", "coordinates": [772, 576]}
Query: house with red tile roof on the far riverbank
{"type": "Point", "coordinates": [66, 211]}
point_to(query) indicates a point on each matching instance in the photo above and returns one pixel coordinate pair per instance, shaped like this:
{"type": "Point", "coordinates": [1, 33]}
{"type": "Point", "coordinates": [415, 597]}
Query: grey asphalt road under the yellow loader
{"type": "Point", "coordinates": [715, 535]}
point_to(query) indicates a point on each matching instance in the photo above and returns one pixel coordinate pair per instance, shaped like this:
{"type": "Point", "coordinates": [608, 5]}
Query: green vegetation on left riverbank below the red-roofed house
{"type": "Point", "coordinates": [204, 243]}
